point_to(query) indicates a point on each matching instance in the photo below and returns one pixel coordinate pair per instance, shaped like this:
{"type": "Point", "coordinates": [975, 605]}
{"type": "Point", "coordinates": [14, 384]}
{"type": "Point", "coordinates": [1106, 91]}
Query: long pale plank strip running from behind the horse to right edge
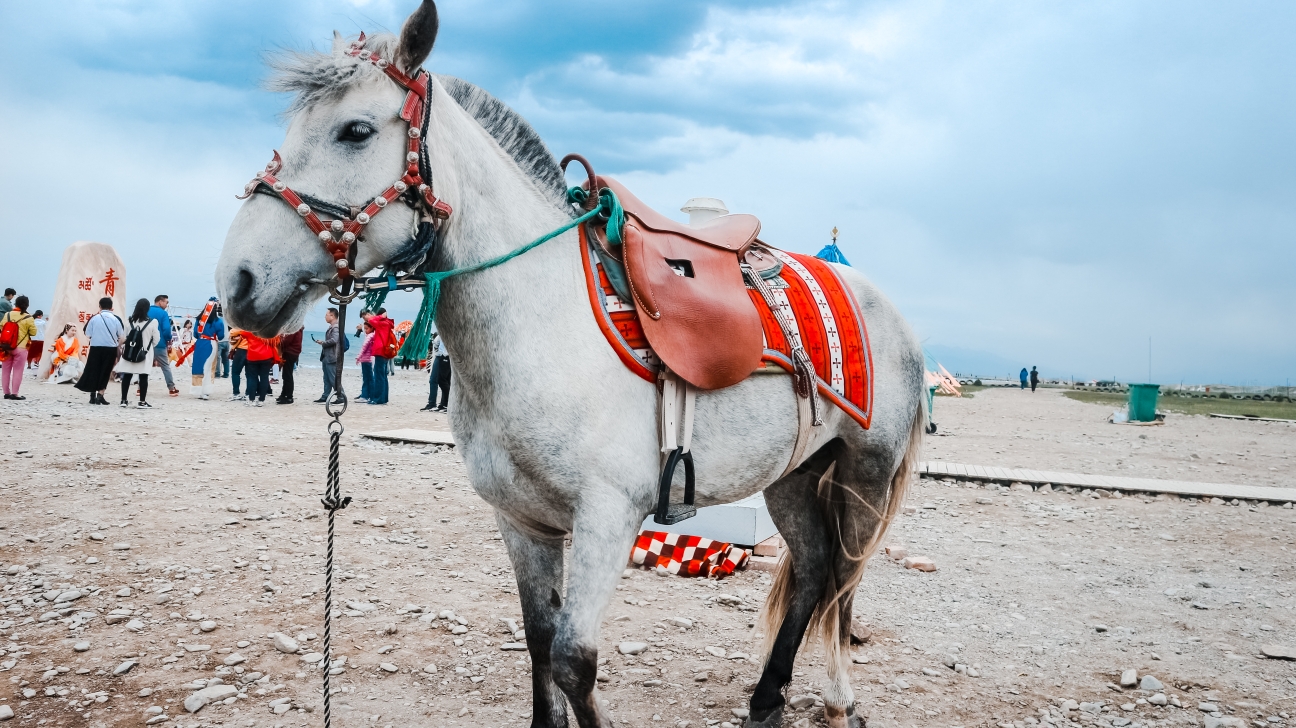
{"type": "Point", "coordinates": [1111, 483]}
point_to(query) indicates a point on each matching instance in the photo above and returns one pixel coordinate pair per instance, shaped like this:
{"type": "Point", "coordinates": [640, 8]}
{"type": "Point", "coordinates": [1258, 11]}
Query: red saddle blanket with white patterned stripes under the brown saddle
{"type": "Point", "coordinates": [827, 322]}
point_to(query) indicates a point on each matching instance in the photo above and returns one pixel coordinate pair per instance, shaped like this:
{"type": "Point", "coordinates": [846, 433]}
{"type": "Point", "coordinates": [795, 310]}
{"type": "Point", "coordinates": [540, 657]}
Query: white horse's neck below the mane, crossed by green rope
{"type": "Point", "coordinates": [505, 323]}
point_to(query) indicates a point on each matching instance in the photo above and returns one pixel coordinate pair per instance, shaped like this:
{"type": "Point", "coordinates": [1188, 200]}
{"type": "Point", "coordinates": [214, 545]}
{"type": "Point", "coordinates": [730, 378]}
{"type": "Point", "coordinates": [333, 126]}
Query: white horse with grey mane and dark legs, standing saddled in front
{"type": "Point", "coordinates": [557, 433]}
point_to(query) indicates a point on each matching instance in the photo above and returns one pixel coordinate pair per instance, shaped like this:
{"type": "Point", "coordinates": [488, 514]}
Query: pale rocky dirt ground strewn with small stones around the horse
{"type": "Point", "coordinates": [159, 562]}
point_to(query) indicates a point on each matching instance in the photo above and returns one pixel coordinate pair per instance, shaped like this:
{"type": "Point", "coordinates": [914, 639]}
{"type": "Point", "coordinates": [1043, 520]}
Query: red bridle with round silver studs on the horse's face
{"type": "Point", "coordinates": [340, 235]}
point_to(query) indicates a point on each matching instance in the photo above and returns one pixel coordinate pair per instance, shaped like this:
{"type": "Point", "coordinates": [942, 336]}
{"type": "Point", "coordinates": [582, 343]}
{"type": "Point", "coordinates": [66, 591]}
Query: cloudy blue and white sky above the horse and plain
{"type": "Point", "coordinates": [1032, 183]}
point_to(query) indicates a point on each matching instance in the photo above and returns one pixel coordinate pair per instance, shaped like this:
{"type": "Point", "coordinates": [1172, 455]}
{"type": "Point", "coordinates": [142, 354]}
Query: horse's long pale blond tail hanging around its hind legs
{"type": "Point", "coordinates": [831, 619]}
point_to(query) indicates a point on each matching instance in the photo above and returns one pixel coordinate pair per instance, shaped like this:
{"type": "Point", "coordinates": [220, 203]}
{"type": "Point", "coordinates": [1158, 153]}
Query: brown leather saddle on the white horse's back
{"type": "Point", "coordinates": [689, 287]}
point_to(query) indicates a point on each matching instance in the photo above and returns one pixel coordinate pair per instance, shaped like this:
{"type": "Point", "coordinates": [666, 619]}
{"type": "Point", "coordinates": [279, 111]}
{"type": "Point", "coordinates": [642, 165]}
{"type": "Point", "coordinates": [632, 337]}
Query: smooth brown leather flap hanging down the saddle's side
{"type": "Point", "coordinates": [694, 306]}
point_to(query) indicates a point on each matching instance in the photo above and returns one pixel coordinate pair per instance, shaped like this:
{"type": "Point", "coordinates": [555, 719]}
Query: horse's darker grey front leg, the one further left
{"type": "Point", "coordinates": [538, 567]}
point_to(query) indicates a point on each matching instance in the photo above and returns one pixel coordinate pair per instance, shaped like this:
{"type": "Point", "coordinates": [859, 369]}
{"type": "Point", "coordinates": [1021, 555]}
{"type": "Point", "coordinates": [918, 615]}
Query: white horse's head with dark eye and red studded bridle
{"type": "Point", "coordinates": [347, 151]}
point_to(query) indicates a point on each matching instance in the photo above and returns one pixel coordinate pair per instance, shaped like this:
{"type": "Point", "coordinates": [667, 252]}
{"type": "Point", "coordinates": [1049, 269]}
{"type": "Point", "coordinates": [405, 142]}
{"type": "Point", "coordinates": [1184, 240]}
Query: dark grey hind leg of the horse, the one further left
{"type": "Point", "coordinates": [799, 586]}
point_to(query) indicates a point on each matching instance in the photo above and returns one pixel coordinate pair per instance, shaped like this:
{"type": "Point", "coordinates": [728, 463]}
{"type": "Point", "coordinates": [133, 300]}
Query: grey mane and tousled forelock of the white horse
{"type": "Point", "coordinates": [314, 78]}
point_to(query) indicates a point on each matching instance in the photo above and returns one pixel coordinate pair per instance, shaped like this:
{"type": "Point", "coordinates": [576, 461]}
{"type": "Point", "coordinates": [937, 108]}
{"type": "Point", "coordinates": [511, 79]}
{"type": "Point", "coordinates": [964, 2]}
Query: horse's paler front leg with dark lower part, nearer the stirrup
{"type": "Point", "coordinates": [602, 540]}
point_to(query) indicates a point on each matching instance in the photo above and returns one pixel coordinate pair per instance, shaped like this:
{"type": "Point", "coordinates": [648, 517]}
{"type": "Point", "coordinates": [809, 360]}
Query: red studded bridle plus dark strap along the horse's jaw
{"type": "Point", "coordinates": [347, 227]}
